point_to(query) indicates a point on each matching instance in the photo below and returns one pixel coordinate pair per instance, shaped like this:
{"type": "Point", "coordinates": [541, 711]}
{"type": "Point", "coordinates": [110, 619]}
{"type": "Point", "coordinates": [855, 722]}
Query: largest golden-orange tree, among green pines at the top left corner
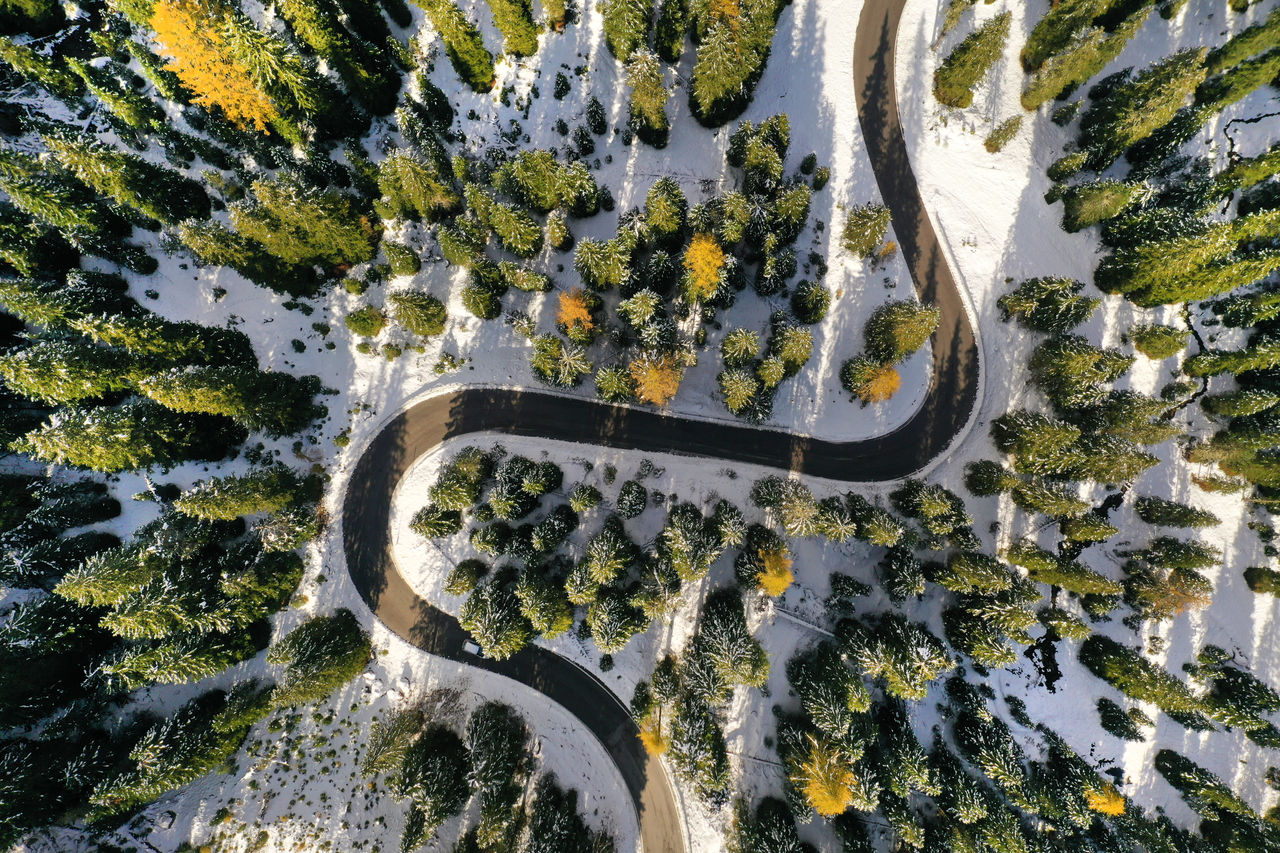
{"type": "Point", "coordinates": [189, 37]}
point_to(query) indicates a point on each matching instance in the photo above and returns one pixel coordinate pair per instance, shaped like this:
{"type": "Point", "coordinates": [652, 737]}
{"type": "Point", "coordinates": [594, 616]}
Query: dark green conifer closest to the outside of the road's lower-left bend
{"type": "Point", "coordinates": [318, 658]}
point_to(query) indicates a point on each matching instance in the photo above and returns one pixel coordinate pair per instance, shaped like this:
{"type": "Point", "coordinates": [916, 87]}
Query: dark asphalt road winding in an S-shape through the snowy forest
{"type": "Point", "coordinates": [418, 431]}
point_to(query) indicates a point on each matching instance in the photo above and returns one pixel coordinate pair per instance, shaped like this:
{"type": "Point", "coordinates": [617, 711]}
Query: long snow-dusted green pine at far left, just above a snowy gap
{"type": "Point", "coordinates": [134, 436]}
